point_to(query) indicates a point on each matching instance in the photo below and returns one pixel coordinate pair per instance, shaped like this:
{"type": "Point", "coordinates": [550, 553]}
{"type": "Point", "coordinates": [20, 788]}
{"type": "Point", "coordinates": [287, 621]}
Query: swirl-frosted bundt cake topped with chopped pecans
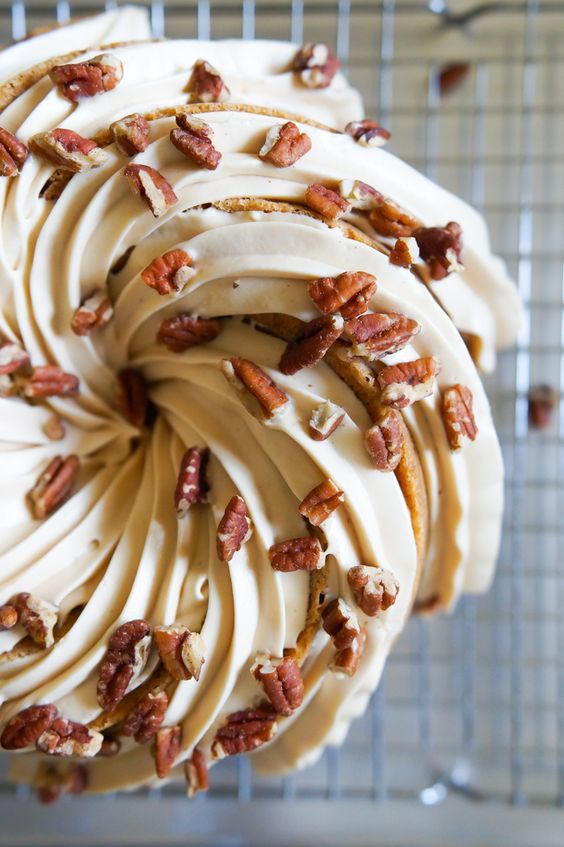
{"type": "Point", "coordinates": [242, 429]}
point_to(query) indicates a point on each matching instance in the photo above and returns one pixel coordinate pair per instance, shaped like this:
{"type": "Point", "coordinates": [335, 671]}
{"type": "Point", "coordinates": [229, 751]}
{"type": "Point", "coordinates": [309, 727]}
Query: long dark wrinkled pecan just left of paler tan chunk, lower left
{"type": "Point", "coordinates": [123, 661]}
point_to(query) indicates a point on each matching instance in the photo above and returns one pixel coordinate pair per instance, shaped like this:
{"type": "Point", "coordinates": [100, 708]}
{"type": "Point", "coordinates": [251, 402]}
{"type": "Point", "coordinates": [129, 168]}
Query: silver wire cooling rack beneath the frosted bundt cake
{"type": "Point", "coordinates": [471, 706]}
